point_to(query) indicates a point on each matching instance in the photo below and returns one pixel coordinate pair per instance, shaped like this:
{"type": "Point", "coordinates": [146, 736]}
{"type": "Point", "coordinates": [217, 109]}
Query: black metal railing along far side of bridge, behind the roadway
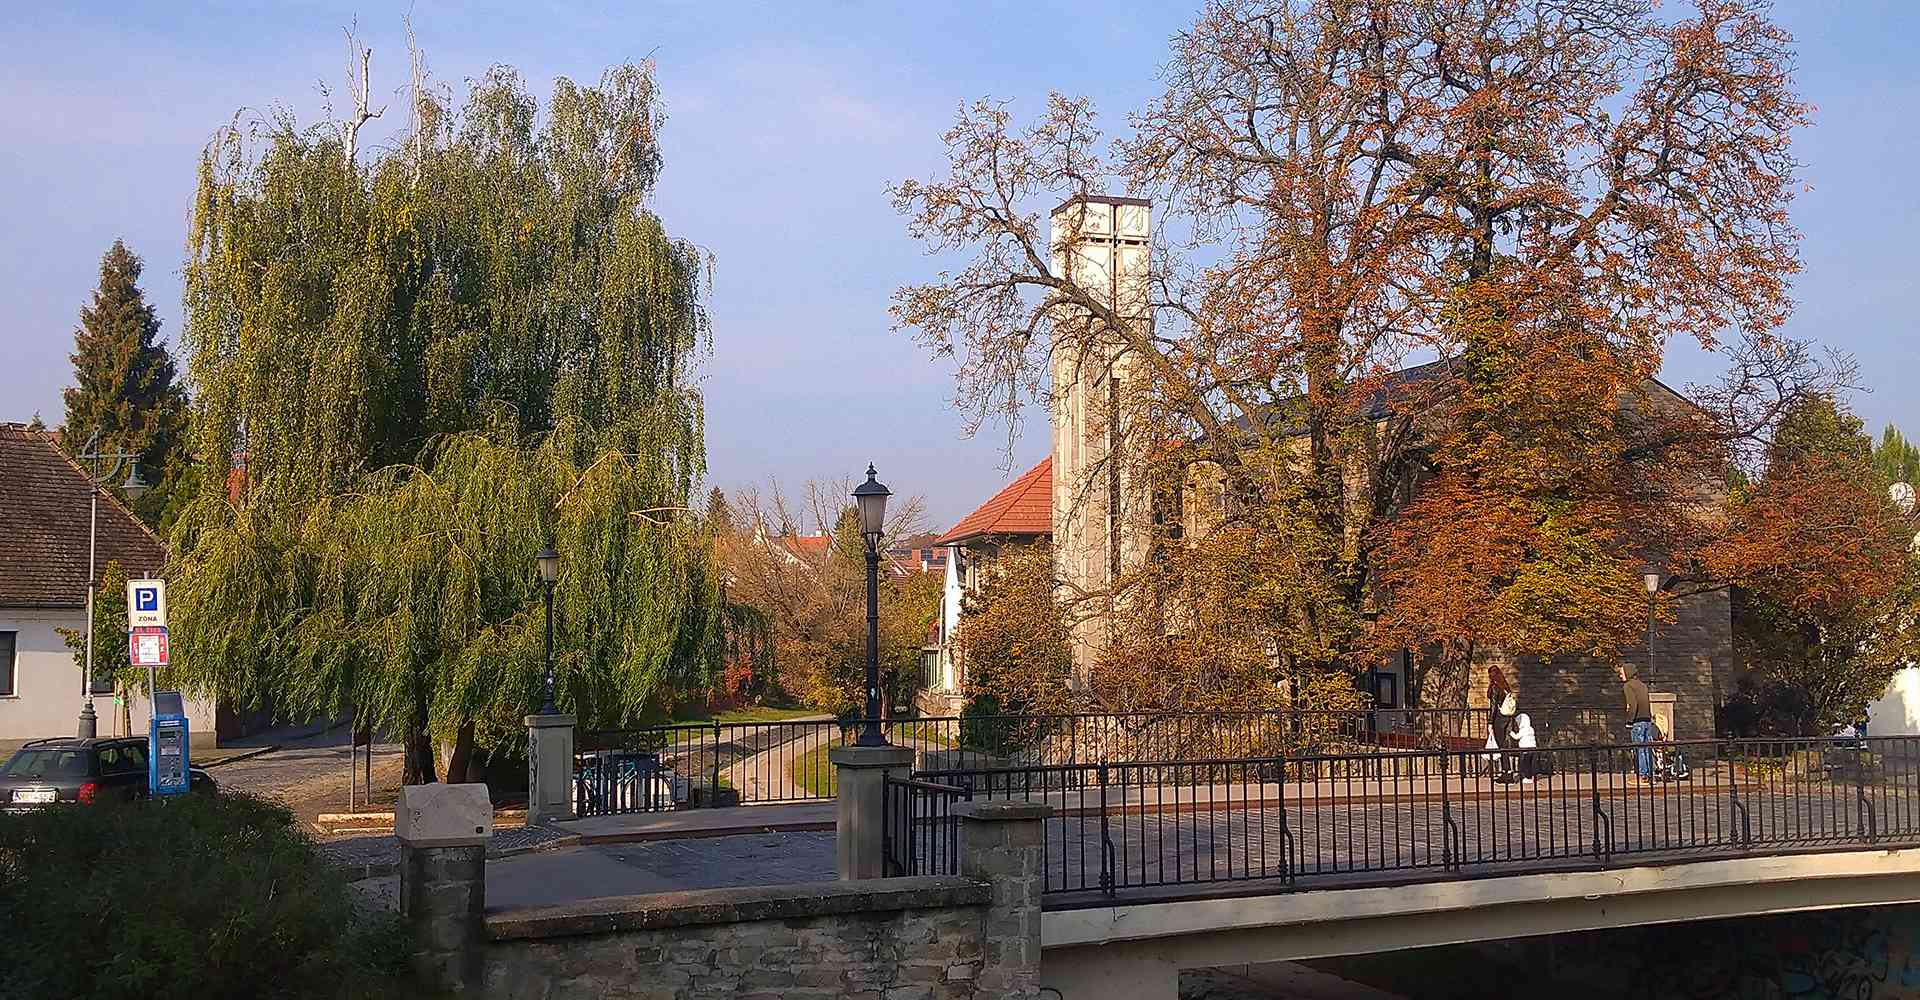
{"type": "Point", "coordinates": [750, 763]}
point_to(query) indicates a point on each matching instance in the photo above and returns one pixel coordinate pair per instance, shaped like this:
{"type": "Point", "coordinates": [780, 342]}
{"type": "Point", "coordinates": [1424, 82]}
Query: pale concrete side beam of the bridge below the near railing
{"type": "Point", "coordinates": [1138, 951]}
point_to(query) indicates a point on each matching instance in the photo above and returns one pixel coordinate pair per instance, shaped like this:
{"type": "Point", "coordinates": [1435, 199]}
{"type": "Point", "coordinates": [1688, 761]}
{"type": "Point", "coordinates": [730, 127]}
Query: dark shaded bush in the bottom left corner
{"type": "Point", "coordinates": [206, 897]}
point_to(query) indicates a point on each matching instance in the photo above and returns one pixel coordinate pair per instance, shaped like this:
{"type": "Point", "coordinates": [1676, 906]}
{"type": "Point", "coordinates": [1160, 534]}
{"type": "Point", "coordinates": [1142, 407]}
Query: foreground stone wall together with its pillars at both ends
{"type": "Point", "coordinates": [974, 936]}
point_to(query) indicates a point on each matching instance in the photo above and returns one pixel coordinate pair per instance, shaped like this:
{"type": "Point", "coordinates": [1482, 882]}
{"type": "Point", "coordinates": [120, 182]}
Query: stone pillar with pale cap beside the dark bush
{"type": "Point", "coordinates": [443, 836]}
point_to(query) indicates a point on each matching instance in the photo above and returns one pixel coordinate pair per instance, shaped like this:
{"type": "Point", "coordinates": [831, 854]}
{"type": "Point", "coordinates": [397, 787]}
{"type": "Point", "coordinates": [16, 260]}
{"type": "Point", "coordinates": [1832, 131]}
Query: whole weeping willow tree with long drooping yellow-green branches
{"type": "Point", "coordinates": [414, 369]}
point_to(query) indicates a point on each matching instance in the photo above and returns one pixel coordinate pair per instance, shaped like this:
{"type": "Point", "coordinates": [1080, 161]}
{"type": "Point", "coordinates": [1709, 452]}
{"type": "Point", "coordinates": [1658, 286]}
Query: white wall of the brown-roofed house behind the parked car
{"type": "Point", "coordinates": [47, 682]}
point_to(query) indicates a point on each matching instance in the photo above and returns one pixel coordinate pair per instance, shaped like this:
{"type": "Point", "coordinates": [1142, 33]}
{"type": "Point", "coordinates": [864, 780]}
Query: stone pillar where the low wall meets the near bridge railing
{"type": "Point", "coordinates": [1001, 844]}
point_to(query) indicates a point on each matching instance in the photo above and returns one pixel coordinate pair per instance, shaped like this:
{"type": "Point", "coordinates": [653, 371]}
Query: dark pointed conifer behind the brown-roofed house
{"type": "Point", "coordinates": [126, 396]}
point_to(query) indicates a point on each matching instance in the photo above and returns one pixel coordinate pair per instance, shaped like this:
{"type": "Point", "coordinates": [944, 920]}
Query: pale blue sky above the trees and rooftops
{"type": "Point", "coordinates": [788, 122]}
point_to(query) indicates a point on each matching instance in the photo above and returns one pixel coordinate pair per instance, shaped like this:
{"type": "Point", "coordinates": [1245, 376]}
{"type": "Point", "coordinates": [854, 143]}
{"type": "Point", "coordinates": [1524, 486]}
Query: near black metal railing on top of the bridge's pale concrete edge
{"type": "Point", "coordinates": [1358, 817]}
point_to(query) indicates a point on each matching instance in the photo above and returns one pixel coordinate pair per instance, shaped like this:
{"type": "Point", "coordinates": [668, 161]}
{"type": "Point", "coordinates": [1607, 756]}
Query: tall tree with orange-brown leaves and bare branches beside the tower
{"type": "Point", "coordinates": [1543, 195]}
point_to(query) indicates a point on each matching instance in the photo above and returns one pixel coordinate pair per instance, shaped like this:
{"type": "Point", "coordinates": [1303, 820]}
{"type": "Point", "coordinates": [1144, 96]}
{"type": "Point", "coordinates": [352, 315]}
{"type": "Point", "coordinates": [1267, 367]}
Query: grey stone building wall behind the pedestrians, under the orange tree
{"type": "Point", "coordinates": [1581, 696]}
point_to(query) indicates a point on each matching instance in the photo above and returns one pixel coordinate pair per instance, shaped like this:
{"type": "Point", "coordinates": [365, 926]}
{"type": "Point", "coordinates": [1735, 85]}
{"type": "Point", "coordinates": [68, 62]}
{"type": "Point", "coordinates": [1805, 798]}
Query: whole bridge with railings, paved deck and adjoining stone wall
{"type": "Point", "coordinates": [1105, 869]}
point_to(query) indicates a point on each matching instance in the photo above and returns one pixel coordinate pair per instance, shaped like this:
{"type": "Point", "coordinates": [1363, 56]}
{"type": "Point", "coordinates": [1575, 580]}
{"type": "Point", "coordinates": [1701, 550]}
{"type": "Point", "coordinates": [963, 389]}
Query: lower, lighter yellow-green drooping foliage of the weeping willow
{"type": "Point", "coordinates": [418, 602]}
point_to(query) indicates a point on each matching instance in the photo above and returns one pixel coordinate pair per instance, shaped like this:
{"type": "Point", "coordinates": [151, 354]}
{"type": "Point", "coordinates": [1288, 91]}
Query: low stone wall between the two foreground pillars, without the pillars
{"type": "Point", "coordinates": [882, 940]}
